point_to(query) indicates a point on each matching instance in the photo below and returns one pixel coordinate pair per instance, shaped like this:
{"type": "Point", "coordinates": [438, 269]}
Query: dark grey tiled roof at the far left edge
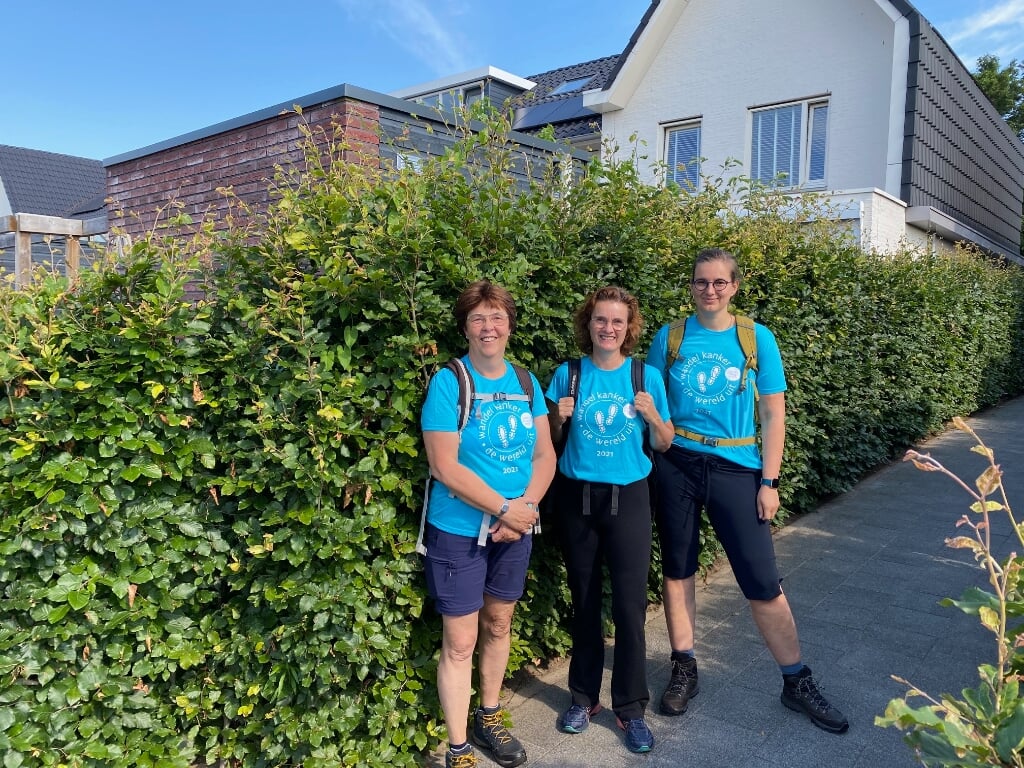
{"type": "Point", "coordinates": [52, 185]}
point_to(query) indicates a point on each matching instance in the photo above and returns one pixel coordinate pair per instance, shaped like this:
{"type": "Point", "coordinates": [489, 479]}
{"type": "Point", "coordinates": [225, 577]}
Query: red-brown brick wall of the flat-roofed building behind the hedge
{"type": "Point", "coordinates": [186, 179]}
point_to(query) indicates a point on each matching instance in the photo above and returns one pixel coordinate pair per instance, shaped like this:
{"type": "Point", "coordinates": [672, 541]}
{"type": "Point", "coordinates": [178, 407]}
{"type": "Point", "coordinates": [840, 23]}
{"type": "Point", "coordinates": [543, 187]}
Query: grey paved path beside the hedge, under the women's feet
{"type": "Point", "coordinates": [865, 576]}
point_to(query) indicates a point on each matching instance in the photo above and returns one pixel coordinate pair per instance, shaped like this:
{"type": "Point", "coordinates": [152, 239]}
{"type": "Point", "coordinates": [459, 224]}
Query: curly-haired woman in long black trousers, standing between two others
{"type": "Point", "coordinates": [601, 497]}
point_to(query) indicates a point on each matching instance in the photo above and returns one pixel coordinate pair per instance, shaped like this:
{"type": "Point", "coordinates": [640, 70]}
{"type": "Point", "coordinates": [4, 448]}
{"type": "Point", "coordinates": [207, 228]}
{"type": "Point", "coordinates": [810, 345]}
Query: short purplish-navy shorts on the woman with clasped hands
{"type": "Point", "coordinates": [460, 572]}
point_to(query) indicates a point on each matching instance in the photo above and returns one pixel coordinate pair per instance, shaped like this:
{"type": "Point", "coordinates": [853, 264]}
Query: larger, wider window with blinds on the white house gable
{"type": "Point", "coordinates": [783, 152]}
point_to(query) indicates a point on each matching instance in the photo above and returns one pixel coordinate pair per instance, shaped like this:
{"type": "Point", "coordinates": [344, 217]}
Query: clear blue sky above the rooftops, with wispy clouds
{"type": "Point", "coordinates": [102, 79]}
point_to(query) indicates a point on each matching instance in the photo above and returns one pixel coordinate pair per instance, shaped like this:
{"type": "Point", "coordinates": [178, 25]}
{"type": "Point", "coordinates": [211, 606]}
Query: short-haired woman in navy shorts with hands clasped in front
{"type": "Point", "coordinates": [489, 478]}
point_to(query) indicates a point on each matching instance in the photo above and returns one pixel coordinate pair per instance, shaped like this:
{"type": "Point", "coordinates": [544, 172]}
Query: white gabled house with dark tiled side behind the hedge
{"type": "Point", "coordinates": [862, 100]}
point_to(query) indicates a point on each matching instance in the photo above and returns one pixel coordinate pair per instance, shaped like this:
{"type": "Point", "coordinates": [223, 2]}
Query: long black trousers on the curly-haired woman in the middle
{"type": "Point", "coordinates": [610, 525]}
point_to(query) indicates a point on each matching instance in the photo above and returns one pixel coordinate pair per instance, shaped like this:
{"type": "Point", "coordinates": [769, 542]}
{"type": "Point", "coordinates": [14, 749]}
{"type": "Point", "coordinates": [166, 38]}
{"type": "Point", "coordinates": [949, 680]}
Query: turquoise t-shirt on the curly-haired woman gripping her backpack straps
{"type": "Point", "coordinates": [607, 435]}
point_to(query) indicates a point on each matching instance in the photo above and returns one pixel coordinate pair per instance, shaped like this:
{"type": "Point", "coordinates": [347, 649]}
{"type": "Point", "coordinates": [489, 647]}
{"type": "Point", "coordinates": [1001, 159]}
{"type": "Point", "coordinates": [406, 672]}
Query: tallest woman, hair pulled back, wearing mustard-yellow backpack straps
{"type": "Point", "coordinates": [715, 465]}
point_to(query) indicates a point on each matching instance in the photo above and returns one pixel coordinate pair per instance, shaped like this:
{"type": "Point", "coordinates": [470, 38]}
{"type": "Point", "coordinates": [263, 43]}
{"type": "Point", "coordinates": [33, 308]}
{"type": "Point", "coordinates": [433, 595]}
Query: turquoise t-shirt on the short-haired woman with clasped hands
{"type": "Point", "coordinates": [497, 444]}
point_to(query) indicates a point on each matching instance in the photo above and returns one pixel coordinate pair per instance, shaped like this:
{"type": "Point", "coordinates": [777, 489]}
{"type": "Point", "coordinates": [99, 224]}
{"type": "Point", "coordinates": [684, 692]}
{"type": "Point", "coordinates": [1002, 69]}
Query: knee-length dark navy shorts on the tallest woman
{"type": "Point", "coordinates": [690, 483]}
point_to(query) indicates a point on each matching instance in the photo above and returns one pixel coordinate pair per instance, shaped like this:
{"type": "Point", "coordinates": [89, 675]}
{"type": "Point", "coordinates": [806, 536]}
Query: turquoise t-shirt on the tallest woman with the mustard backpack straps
{"type": "Point", "coordinates": [704, 387]}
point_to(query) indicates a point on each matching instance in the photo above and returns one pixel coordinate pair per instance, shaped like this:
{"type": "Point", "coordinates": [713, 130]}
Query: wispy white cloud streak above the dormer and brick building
{"type": "Point", "coordinates": [426, 30]}
